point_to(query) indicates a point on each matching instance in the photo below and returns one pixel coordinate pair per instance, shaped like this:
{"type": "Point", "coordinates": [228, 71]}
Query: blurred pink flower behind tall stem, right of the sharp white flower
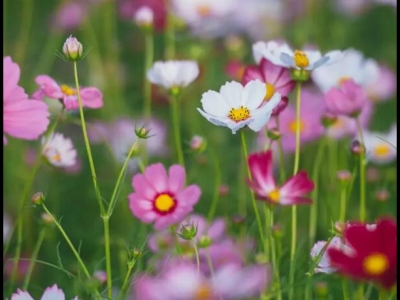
{"type": "Point", "coordinates": [312, 107]}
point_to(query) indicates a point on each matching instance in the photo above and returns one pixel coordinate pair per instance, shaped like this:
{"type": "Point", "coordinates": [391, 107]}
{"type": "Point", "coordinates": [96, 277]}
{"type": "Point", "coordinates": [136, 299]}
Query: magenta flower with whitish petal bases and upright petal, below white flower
{"type": "Point", "coordinates": [292, 192]}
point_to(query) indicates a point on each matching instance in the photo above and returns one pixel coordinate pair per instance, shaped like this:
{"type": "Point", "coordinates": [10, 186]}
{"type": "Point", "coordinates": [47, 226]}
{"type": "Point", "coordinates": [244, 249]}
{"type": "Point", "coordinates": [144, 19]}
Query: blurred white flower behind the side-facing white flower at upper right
{"type": "Point", "coordinates": [351, 64]}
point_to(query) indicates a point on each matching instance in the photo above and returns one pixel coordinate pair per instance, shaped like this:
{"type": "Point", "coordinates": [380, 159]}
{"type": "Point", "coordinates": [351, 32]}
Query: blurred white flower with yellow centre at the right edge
{"type": "Point", "coordinates": [381, 148]}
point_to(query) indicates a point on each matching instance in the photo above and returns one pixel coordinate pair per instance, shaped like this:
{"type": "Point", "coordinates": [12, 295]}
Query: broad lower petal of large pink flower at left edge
{"type": "Point", "coordinates": [26, 119]}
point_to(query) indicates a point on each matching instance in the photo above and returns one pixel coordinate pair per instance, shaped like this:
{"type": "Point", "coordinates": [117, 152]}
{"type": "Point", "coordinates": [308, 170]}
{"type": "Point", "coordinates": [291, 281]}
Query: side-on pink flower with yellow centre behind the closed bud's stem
{"type": "Point", "coordinates": [48, 87]}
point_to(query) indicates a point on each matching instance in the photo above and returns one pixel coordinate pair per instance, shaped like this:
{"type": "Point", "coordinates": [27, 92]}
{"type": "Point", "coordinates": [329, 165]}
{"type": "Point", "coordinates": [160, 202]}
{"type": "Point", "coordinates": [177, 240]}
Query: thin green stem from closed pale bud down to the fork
{"type": "Point", "coordinates": [87, 144]}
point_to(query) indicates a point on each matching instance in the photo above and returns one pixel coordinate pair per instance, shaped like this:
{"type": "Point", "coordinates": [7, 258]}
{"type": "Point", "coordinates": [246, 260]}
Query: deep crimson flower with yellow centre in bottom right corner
{"type": "Point", "coordinates": [374, 253]}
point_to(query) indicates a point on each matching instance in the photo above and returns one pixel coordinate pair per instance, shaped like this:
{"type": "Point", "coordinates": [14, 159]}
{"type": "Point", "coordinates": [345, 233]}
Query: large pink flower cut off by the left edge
{"type": "Point", "coordinates": [22, 118]}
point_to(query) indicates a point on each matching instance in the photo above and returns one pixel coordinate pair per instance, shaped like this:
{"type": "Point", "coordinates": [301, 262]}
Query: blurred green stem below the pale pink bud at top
{"type": "Point", "coordinates": [148, 60]}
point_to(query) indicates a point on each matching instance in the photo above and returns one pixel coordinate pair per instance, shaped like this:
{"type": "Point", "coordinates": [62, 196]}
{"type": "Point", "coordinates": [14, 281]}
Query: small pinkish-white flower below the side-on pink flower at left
{"type": "Point", "coordinates": [59, 151]}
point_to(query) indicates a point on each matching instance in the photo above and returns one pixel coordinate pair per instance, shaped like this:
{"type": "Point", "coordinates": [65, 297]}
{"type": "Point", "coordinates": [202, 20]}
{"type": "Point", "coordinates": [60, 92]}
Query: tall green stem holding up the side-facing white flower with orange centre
{"type": "Point", "coordinates": [294, 207]}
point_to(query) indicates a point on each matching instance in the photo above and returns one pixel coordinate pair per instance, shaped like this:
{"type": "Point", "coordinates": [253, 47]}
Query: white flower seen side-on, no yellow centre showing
{"type": "Point", "coordinates": [173, 73]}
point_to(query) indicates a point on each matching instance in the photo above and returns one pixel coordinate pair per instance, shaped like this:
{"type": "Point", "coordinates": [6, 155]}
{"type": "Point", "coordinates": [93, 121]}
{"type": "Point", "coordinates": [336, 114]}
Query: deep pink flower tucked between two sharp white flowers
{"type": "Point", "coordinates": [275, 77]}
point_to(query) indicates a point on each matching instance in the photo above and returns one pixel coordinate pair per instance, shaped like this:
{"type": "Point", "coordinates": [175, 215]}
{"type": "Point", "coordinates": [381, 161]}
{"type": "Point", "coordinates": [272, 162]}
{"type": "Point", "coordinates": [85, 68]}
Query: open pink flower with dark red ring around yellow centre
{"type": "Point", "coordinates": [162, 198]}
